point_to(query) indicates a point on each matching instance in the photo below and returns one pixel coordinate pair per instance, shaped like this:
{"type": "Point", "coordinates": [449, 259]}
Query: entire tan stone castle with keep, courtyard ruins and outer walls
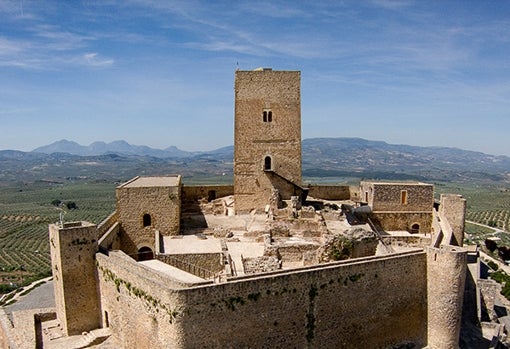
{"type": "Point", "coordinates": [269, 262]}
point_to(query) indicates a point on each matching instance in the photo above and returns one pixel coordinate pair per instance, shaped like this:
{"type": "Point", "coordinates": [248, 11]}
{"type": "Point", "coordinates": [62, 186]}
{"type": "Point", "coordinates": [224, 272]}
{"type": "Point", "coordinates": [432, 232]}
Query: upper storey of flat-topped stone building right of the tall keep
{"type": "Point", "coordinates": [388, 196]}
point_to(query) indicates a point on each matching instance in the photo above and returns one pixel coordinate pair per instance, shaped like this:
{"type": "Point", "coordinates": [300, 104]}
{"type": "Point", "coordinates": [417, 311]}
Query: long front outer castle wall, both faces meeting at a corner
{"type": "Point", "coordinates": [310, 307]}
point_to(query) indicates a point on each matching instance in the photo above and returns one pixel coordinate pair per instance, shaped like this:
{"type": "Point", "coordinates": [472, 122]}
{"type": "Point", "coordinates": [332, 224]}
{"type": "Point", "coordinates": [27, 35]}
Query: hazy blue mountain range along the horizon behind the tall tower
{"type": "Point", "coordinates": [322, 157]}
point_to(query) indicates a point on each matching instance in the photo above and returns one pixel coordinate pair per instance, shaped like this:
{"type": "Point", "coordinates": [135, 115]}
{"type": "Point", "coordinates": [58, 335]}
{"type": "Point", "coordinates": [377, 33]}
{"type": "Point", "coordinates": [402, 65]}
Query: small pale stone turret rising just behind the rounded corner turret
{"type": "Point", "coordinates": [453, 207]}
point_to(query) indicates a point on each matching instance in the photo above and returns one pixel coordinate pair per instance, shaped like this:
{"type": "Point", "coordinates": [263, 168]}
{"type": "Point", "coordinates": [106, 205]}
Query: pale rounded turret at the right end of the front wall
{"type": "Point", "coordinates": [446, 276]}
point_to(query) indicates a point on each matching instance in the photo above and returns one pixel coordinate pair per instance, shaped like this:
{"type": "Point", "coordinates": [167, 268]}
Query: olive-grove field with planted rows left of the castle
{"type": "Point", "coordinates": [25, 212]}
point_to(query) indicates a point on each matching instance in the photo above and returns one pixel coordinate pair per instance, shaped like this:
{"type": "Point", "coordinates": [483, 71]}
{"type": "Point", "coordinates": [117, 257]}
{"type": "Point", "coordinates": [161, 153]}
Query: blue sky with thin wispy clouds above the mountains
{"type": "Point", "coordinates": [161, 73]}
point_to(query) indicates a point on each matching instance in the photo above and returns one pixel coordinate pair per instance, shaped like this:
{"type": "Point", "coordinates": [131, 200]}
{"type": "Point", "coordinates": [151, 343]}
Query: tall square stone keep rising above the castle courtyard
{"type": "Point", "coordinates": [267, 138]}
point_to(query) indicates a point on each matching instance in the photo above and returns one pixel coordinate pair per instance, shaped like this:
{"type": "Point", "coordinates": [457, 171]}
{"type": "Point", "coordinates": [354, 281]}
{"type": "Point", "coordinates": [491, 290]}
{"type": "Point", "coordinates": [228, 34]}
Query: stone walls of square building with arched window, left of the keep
{"type": "Point", "coordinates": [163, 204]}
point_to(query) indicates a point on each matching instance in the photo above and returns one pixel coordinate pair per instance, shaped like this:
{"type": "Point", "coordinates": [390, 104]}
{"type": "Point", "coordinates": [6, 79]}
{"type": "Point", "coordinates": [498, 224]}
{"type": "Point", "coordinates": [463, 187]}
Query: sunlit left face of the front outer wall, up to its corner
{"type": "Point", "coordinates": [140, 306]}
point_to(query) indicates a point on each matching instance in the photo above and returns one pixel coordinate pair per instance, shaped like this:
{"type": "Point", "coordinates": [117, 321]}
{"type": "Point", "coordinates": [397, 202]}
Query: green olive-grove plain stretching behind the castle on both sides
{"type": "Point", "coordinates": [27, 209]}
